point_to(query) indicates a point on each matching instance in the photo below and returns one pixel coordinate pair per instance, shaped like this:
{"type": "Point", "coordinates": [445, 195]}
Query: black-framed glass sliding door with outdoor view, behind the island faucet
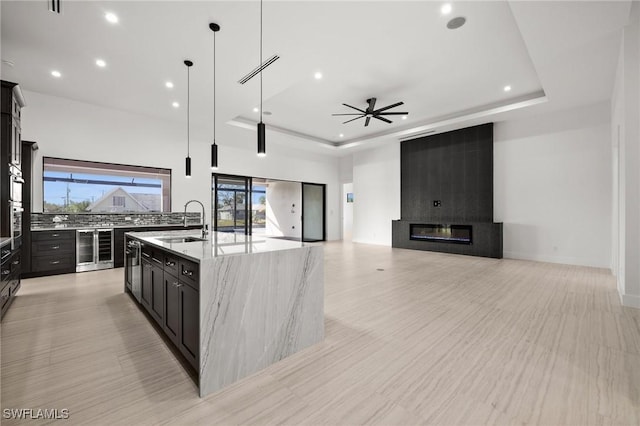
{"type": "Point", "coordinates": [231, 203]}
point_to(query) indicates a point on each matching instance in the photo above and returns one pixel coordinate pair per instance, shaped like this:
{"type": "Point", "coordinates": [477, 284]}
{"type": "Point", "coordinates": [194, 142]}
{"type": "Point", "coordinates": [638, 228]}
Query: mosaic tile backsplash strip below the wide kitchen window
{"type": "Point", "coordinates": [52, 220]}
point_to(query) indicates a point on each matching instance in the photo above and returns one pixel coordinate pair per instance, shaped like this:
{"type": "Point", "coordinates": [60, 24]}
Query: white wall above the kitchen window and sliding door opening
{"type": "Point", "coordinates": [70, 129]}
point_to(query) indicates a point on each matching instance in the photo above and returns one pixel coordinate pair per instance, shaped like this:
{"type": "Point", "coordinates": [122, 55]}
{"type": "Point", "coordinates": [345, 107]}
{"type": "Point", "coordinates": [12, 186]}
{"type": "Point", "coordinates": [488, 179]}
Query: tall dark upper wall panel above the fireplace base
{"type": "Point", "coordinates": [454, 168]}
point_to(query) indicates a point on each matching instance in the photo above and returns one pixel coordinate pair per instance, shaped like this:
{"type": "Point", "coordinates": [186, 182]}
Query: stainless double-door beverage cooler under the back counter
{"type": "Point", "coordinates": [94, 249]}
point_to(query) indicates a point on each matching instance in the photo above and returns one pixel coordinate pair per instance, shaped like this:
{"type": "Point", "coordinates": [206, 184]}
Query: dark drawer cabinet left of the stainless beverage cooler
{"type": "Point", "coordinates": [53, 252]}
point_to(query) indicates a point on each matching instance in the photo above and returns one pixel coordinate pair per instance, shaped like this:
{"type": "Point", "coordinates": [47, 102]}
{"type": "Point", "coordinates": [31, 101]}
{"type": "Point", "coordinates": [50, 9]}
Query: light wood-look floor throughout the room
{"type": "Point", "coordinates": [411, 338]}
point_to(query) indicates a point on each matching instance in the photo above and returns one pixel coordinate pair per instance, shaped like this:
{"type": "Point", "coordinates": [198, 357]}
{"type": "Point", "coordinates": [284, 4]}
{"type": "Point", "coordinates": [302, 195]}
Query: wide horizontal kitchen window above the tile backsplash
{"type": "Point", "coordinates": [75, 186]}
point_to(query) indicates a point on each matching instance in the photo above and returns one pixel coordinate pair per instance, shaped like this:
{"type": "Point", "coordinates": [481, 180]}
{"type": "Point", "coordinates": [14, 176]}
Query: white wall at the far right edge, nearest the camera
{"type": "Point", "coordinates": [625, 110]}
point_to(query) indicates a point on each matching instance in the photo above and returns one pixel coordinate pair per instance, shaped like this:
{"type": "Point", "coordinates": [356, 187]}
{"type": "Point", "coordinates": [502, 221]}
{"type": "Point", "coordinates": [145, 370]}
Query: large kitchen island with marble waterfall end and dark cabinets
{"type": "Point", "coordinates": [232, 304]}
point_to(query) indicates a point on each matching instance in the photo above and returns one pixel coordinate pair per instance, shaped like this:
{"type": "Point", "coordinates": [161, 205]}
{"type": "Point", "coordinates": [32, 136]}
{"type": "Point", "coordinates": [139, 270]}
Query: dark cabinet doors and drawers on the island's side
{"type": "Point", "coordinates": [170, 295]}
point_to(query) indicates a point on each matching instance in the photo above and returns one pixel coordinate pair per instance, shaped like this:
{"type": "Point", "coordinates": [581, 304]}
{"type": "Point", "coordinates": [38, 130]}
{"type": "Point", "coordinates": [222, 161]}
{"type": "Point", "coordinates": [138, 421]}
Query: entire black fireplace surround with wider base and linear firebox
{"type": "Point", "coordinates": [447, 194]}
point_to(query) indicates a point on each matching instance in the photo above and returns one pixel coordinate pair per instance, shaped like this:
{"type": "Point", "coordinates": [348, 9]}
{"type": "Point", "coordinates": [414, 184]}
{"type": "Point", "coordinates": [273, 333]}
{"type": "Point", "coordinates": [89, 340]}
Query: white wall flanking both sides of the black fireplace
{"type": "Point", "coordinates": [552, 188]}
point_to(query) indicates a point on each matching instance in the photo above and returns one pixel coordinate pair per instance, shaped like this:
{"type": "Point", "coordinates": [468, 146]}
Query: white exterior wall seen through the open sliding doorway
{"type": "Point", "coordinates": [284, 206]}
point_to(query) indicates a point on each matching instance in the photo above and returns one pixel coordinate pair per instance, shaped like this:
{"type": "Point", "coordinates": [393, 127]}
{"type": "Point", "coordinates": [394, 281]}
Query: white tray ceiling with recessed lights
{"type": "Point", "coordinates": [561, 52]}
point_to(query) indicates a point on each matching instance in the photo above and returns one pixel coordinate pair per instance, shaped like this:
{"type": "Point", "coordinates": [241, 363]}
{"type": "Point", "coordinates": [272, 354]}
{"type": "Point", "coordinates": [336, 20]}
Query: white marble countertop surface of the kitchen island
{"type": "Point", "coordinates": [217, 243]}
